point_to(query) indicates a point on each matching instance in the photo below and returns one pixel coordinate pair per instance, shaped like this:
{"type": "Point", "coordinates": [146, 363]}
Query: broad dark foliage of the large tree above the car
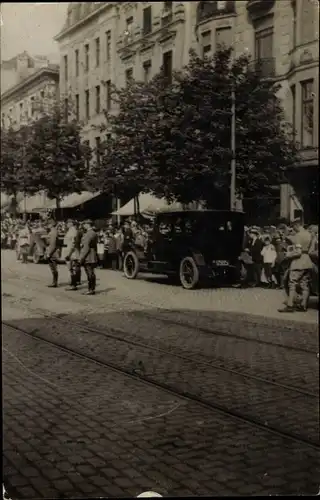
{"type": "Point", "coordinates": [175, 140]}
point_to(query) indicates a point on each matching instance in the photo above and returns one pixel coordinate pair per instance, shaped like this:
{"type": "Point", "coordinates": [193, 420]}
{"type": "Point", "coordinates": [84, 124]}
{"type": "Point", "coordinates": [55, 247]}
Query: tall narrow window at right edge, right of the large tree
{"type": "Point", "coordinates": [307, 114]}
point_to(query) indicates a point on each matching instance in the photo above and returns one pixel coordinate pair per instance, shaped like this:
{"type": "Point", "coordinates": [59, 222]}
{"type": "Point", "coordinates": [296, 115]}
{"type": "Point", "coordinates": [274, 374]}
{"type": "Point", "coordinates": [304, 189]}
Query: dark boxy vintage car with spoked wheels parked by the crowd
{"type": "Point", "coordinates": [192, 246]}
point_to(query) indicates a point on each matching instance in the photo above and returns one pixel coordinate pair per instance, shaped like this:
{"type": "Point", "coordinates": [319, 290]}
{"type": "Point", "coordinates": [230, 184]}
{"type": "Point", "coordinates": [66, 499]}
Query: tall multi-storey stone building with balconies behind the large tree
{"type": "Point", "coordinates": [108, 43]}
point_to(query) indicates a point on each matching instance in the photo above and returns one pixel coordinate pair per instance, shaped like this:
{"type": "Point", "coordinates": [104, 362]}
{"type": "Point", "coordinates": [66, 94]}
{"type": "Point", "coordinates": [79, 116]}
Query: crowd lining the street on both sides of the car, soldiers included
{"type": "Point", "coordinates": [271, 256]}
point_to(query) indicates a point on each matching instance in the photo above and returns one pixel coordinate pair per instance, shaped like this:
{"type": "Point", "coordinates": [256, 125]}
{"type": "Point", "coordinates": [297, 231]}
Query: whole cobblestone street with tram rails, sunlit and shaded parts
{"type": "Point", "coordinates": [142, 388]}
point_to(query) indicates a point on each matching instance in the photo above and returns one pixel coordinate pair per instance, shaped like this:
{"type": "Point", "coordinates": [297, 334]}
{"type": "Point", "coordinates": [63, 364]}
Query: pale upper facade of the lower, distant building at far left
{"type": "Point", "coordinates": [30, 97]}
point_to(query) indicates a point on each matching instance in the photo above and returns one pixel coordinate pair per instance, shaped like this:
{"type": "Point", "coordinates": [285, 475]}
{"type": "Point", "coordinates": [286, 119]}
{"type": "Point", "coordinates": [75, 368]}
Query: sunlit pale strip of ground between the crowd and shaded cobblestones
{"type": "Point", "coordinates": [154, 292]}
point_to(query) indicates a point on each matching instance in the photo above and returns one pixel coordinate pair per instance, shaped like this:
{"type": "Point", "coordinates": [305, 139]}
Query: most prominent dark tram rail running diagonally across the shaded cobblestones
{"type": "Point", "coordinates": [174, 391]}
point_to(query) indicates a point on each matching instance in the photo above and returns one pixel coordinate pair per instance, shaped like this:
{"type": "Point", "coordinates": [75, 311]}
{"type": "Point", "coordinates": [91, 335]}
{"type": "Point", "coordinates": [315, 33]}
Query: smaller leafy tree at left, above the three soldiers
{"type": "Point", "coordinates": [57, 159]}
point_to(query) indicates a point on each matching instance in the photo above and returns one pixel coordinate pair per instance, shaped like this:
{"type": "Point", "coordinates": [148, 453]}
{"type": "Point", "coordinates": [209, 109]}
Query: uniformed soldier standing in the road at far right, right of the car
{"type": "Point", "coordinates": [300, 268]}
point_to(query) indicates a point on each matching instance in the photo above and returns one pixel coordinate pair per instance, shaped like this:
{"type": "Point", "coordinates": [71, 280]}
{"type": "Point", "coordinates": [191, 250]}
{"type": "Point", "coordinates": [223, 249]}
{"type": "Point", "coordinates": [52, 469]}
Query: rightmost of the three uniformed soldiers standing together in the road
{"type": "Point", "coordinates": [89, 256]}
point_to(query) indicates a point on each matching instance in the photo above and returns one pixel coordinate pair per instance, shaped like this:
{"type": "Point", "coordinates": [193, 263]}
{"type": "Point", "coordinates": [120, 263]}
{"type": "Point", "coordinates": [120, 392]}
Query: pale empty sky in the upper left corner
{"type": "Point", "coordinates": [31, 26]}
